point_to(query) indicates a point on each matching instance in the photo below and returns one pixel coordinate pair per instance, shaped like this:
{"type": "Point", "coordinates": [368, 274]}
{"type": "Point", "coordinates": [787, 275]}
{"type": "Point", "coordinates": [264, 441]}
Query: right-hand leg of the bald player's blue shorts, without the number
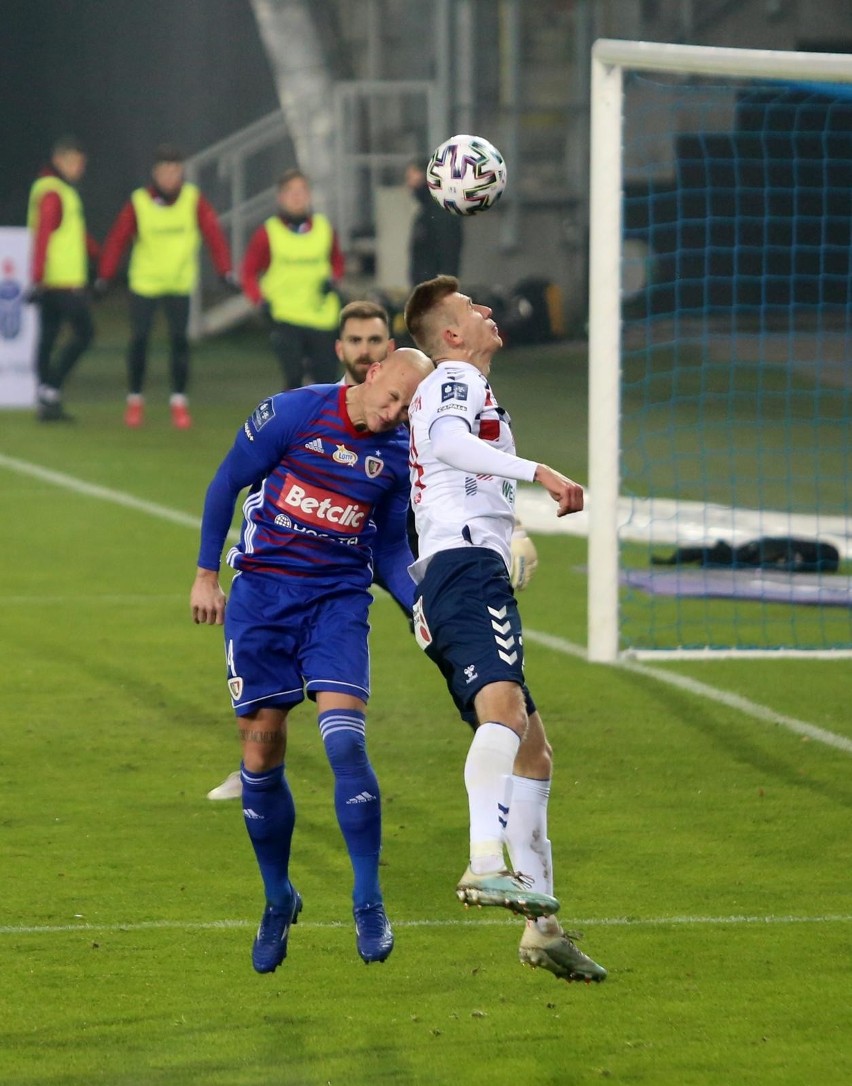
{"type": "Point", "coordinates": [335, 653]}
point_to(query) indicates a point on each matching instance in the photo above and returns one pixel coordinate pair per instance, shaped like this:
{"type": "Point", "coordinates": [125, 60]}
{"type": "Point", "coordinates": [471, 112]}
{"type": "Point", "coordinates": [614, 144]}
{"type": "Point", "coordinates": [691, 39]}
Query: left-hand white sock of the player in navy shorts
{"type": "Point", "coordinates": [488, 778]}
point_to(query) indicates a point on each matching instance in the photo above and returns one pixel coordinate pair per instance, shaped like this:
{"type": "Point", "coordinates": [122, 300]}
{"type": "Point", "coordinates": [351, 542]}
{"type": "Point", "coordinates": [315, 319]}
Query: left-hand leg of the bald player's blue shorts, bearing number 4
{"type": "Point", "coordinates": [262, 646]}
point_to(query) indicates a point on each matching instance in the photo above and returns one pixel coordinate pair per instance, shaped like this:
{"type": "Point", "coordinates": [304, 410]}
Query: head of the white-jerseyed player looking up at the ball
{"type": "Point", "coordinates": [447, 324]}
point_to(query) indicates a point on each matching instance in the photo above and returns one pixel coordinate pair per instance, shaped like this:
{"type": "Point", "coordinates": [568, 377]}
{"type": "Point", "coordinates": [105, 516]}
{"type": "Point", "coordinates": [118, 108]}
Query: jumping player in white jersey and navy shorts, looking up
{"type": "Point", "coordinates": [464, 478]}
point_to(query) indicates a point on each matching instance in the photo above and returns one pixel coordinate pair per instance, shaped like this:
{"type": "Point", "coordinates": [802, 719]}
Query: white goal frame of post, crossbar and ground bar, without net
{"type": "Point", "coordinates": [611, 59]}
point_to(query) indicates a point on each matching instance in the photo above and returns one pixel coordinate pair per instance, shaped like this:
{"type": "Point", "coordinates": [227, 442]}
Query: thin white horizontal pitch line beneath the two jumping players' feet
{"type": "Point", "coordinates": [202, 926]}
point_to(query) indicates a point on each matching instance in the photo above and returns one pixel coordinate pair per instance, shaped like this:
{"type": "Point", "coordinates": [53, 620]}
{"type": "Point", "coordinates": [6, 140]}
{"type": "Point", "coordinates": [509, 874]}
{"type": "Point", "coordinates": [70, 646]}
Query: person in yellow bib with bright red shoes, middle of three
{"type": "Point", "coordinates": [166, 223]}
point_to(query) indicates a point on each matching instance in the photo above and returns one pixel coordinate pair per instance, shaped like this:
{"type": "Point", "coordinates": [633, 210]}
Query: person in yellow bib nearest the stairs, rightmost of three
{"type": "Point", "coordinates": [291, 270]}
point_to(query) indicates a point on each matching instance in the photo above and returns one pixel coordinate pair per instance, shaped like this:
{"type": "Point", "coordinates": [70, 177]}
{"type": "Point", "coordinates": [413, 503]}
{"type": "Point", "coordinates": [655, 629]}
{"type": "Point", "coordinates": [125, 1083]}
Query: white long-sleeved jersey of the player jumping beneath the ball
{"type": "Point", "coordinates": [455, 508]}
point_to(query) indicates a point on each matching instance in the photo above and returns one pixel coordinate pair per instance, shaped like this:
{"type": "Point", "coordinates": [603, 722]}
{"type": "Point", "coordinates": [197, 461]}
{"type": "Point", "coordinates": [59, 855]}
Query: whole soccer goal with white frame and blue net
{"type": "Point", "coordinates": [720, 350]}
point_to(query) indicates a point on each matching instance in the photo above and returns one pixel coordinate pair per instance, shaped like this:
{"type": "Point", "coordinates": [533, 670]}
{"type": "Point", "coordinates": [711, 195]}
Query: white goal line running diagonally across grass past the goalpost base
{"type": "Point", "coordinates": [559, 645]}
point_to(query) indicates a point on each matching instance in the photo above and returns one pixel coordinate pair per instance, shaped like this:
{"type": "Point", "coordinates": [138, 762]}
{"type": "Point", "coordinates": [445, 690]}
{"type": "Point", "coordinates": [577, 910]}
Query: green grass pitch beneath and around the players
{"type": "Point", "coordinates": [705, 854]}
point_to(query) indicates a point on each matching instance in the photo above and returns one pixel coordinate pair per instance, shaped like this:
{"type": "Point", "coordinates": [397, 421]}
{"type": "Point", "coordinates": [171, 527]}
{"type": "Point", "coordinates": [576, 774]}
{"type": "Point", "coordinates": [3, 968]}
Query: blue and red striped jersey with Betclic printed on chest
{"type": "Point", "coordinates": [326, 502]}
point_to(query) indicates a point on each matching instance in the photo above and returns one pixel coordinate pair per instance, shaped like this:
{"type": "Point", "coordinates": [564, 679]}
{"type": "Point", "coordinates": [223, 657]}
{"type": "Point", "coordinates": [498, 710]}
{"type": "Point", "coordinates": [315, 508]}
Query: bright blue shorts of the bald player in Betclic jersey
{"type": "Point", "coordinates": [285, 639]}
